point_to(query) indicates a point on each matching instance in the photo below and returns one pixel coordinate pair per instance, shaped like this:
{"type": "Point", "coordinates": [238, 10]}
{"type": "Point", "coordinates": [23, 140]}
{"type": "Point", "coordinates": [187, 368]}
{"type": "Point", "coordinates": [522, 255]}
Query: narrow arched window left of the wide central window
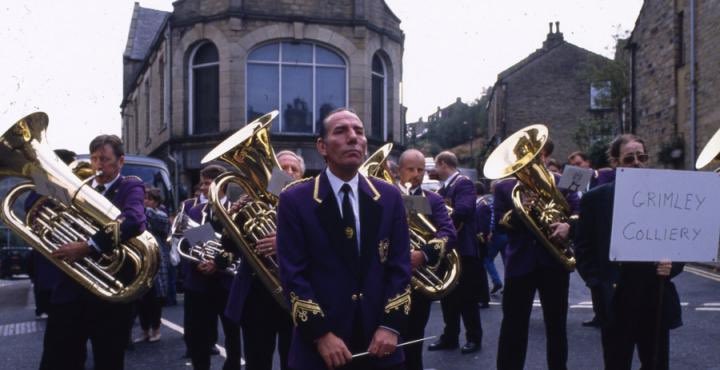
{"type": "Point", "coordinates": [204, 90]}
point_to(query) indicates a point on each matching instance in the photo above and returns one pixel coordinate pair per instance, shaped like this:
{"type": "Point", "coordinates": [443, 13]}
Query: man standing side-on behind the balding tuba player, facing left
{"type": "Point", "coordinates": [463, 301]}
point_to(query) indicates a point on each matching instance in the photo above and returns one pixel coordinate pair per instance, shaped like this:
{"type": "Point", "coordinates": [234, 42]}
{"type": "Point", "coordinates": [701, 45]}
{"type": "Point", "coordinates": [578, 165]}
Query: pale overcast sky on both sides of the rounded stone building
{"type": "Point", "coordinates": [65, 57]}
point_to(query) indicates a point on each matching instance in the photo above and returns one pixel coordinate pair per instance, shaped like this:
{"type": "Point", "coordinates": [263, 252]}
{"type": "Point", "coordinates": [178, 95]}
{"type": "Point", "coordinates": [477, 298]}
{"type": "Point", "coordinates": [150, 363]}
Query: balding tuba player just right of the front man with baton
{"type": "Point", "coordinates": [412, 170]}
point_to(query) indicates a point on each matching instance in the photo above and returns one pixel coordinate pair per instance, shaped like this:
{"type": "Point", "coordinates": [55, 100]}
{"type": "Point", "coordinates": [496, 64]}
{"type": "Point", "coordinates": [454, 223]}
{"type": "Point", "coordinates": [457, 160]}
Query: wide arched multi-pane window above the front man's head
{"type": "Point", "coordinates": [305, 81]}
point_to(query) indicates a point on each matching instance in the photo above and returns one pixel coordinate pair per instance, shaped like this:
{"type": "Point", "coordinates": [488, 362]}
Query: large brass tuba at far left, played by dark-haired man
{"type": "Point", "coordinates": [74, 212]}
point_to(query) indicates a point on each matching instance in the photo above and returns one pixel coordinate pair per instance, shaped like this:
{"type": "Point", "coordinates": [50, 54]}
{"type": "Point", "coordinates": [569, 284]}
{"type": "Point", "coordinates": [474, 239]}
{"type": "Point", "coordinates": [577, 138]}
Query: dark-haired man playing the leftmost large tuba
{"type": "Point", "coordinates": [77, 314]}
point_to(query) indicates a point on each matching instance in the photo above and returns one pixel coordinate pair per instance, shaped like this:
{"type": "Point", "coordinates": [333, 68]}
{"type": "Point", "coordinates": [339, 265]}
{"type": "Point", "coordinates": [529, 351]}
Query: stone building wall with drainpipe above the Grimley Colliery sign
{"type": "Point", "coordinates": [675, 78]}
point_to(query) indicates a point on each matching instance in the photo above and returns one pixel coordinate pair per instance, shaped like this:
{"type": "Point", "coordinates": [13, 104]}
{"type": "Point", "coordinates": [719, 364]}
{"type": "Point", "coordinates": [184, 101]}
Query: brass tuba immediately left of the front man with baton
{"type": "Point", "coordinates": [252, 158]}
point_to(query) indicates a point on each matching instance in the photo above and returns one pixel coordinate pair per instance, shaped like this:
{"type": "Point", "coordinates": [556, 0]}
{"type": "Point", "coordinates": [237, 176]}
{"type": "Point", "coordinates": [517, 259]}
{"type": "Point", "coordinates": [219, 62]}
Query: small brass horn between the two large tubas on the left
{"type": "Point", "coordinates": [206, 251]}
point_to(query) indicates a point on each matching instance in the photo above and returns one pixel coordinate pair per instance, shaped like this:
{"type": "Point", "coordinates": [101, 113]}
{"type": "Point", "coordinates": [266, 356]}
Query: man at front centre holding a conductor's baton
{"type": "Point", "coordinates": [344, 258]}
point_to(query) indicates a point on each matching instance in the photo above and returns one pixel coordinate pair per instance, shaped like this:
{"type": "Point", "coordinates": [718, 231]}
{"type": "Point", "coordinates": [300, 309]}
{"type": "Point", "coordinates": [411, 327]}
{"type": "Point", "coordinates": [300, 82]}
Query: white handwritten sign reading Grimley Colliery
{"type": "Point", "coordinates": [665, 214]}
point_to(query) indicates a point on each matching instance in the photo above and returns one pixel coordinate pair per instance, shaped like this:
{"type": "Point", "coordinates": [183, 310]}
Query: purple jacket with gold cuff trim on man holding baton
{"type": "Point", "coordinates": [329, 287]}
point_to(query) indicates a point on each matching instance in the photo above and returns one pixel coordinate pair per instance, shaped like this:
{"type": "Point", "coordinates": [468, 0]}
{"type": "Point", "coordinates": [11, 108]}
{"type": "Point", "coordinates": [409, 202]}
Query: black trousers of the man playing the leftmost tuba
{"type": "Point", "coordinates": [70, 325]}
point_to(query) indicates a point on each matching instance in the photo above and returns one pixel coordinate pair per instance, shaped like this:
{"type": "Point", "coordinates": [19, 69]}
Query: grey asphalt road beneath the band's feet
{"type": "Point", "coordinates": [693, 346]}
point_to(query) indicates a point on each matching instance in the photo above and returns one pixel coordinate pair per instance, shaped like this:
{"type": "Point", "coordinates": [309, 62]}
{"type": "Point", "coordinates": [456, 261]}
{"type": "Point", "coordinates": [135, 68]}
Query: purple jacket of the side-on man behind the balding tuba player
{"type": "Point", "coordinates": [460, 195]}
